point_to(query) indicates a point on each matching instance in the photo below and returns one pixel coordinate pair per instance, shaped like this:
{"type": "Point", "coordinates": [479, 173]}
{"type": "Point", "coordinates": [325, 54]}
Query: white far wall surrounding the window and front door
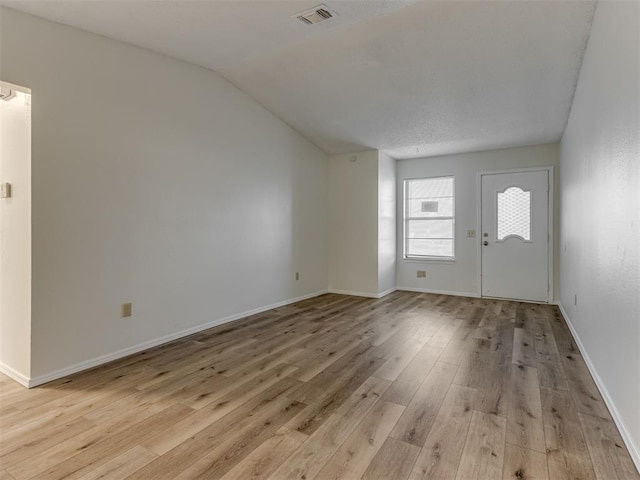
{"type": "Point", "coordinates": [460, 276]}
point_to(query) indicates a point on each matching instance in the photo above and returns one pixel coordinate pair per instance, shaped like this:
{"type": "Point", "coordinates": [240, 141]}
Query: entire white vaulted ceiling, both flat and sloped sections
{"type": "Point", "coordinates": [410, 77]}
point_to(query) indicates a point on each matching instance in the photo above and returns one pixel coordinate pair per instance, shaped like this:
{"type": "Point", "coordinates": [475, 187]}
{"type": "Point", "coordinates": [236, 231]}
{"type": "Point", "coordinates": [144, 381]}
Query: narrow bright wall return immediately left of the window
{"type": "Point", "coordinates": [386, 223]}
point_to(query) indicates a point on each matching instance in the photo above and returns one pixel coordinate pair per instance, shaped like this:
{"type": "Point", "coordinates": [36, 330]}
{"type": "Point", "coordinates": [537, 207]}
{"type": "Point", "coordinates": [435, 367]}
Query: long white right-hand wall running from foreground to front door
{"type": "Point", "coordinates": [600, 212]}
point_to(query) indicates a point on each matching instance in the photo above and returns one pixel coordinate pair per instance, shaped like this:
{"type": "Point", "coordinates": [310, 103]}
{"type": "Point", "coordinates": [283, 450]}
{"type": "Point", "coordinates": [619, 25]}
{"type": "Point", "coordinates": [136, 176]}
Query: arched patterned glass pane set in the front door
{"type": "Point", "coordinates": [514, 213]}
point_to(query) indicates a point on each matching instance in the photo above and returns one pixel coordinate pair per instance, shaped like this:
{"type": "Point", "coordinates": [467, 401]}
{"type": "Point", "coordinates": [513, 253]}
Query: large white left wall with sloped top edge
{"type": "Point", "coordinates": [155, 182]}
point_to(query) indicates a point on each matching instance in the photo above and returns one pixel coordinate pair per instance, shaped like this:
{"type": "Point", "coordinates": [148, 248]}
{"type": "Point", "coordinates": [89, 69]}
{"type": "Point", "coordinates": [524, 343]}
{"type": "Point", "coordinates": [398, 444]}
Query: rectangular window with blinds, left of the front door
{"type": "Point", "coordinates": [429, 218]}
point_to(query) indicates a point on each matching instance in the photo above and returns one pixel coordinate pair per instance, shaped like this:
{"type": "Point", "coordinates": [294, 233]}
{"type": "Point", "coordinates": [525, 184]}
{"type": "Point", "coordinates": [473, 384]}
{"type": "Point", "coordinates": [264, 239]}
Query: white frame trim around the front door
{"type": "Point", "coordinates": [550, 219]}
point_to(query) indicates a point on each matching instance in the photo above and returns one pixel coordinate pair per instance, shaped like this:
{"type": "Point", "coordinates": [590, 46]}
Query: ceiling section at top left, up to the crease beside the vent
{"type": "Point", "coordinates": [215, 34]}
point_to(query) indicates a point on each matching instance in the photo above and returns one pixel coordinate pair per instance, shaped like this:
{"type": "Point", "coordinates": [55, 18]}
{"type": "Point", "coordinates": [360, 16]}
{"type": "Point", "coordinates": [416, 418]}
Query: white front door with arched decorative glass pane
{"type": "Point", "coordinates": [515, 235]}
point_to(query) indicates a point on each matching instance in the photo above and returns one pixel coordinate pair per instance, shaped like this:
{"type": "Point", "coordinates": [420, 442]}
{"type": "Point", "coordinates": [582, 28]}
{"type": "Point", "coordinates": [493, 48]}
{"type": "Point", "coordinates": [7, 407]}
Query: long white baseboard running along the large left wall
{"type": "Point", "coordinates": [78, 367]}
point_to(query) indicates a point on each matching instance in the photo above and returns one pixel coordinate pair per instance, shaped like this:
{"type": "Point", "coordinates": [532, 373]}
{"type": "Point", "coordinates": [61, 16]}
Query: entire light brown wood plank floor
{"type": "Point", "coordinates": [411, 386]}
